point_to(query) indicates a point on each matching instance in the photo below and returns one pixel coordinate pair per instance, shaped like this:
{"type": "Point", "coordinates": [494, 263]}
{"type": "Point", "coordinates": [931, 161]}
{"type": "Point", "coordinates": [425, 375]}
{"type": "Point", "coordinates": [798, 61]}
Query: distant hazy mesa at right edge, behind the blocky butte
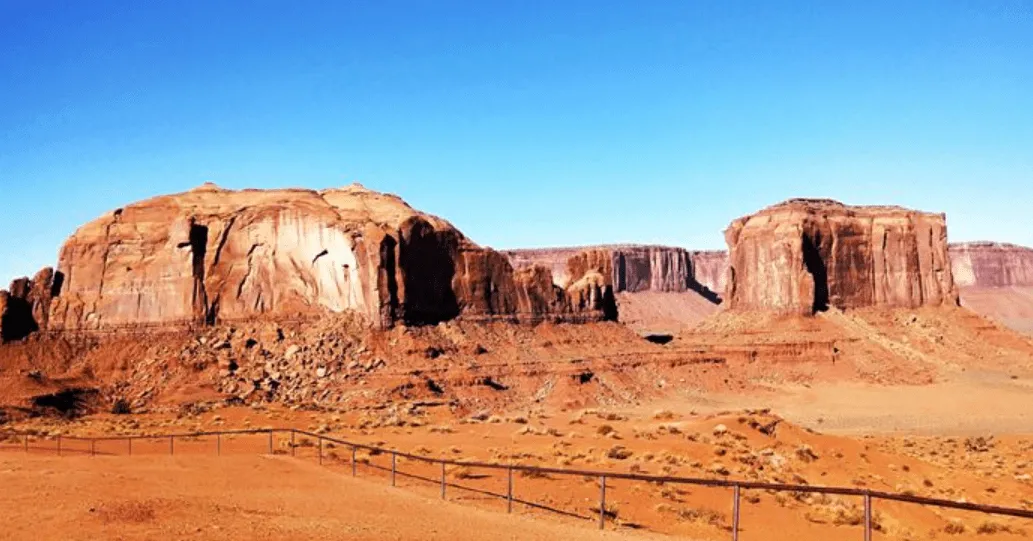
{"type": "Point", "coordinates": [992, 265]}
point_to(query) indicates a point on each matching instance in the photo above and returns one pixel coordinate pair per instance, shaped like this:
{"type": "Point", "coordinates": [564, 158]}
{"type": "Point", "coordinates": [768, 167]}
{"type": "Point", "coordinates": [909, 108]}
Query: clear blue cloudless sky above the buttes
{"type": "Point", "coordinates": [525, 123]}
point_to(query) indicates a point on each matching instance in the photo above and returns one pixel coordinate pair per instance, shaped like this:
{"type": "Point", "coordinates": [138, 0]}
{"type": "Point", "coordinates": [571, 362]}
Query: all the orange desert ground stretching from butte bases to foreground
{"type": "Point", "coordinates": [932, 403]}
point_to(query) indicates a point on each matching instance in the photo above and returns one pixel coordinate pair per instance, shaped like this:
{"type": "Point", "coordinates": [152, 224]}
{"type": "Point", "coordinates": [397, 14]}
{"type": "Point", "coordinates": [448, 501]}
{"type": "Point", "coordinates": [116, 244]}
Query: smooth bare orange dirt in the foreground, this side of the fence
{"type": "Point", "coordinates": [238, 498]}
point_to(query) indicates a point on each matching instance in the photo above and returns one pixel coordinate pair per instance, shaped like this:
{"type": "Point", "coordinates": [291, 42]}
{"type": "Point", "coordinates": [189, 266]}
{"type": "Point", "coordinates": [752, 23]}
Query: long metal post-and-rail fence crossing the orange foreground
{"type": "Point", "coordinates": [868, 495]}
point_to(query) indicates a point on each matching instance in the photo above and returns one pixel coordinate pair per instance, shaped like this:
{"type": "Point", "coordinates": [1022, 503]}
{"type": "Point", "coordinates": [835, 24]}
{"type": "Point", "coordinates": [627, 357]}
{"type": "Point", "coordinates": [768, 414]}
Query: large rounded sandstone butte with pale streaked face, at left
{"type": "Point", "coordinates": [214, 256]}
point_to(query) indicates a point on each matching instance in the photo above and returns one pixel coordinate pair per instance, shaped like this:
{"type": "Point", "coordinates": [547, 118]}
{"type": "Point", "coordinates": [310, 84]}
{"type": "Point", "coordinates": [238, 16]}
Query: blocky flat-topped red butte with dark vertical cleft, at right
{"type": "Point", "coordinates": [805, 256]}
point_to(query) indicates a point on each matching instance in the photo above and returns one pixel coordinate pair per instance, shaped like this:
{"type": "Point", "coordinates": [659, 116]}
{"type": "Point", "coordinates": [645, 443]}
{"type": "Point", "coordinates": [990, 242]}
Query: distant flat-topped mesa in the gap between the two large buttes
{"type": "Point", "coordinates": [632, 268]}
